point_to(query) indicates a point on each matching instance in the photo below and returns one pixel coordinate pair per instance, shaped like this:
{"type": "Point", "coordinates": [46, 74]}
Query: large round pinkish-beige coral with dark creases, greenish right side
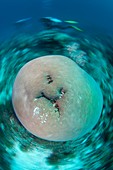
{"type": "Point", "coordinates": [55, 99]}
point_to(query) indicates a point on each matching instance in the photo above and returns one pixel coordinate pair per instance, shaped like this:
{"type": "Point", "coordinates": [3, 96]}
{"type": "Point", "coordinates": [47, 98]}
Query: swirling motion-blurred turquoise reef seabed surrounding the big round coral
{"type": "Point", "coordinates": [20, 150]}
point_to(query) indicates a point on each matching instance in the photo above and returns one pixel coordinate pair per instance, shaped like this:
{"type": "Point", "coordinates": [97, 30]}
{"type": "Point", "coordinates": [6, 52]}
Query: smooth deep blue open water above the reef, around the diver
{"type": "Point", "coordinates": [93, 15]}
